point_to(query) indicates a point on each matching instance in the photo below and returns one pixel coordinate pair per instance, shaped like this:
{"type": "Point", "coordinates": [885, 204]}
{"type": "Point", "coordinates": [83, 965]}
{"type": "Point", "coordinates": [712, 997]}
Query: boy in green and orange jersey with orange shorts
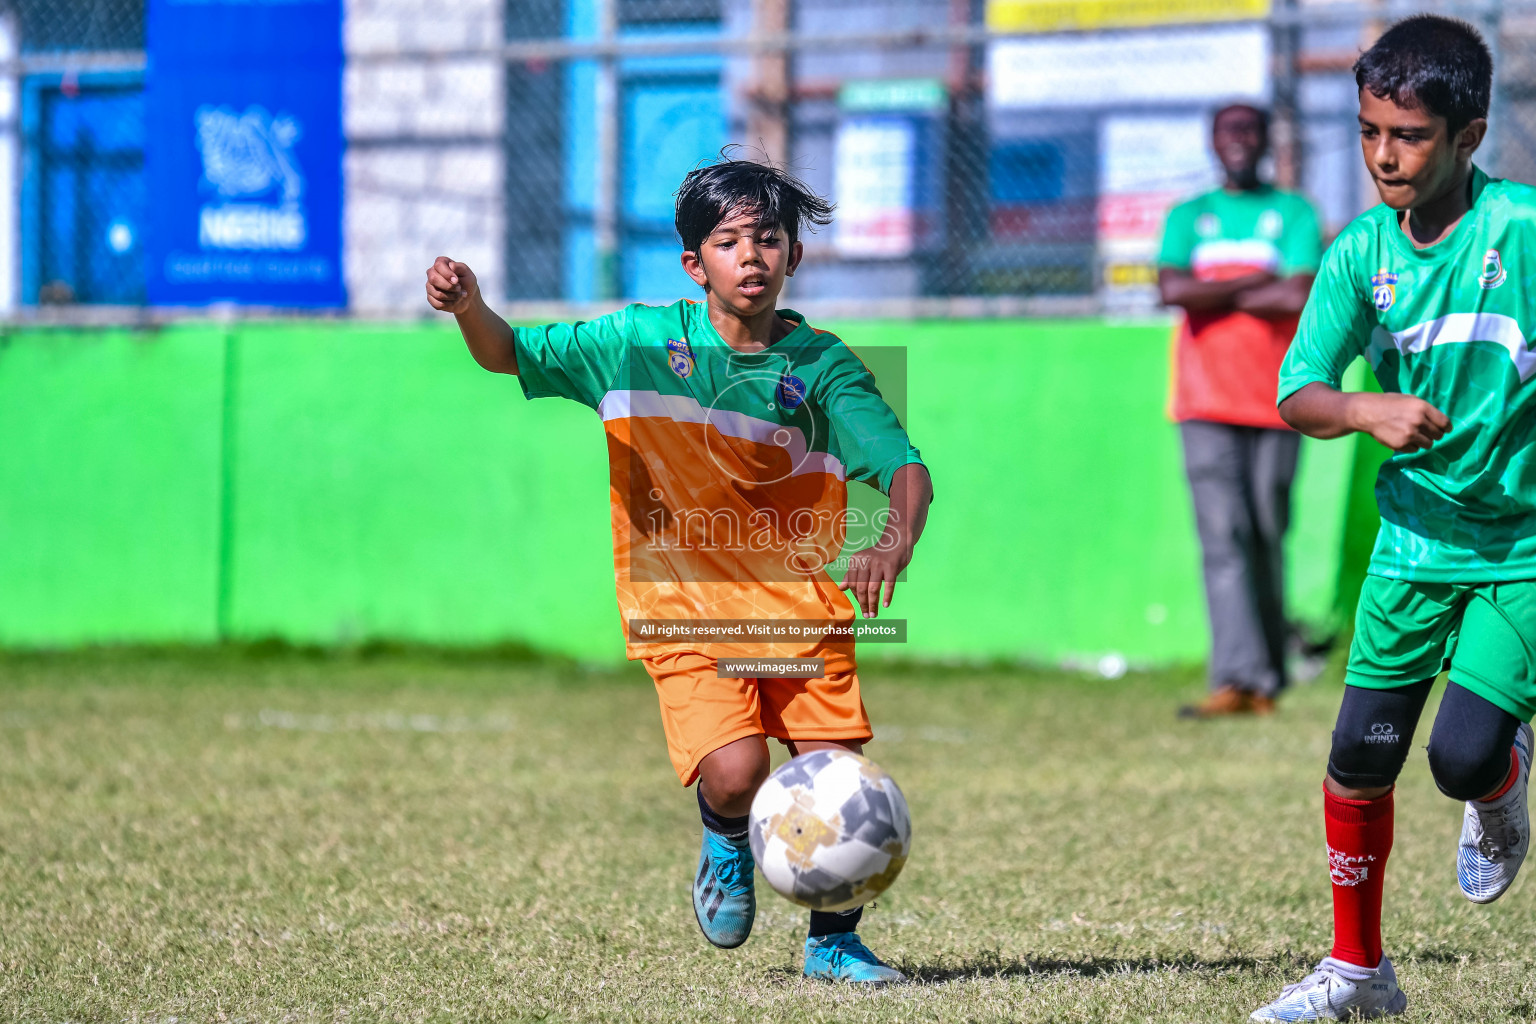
{"type": "Point", "coordinates": [732, 431]}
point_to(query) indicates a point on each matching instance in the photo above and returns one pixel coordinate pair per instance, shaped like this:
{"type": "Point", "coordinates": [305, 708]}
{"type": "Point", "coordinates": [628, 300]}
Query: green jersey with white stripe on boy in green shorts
{"type": "Point", "coordinates": [1451, 325]}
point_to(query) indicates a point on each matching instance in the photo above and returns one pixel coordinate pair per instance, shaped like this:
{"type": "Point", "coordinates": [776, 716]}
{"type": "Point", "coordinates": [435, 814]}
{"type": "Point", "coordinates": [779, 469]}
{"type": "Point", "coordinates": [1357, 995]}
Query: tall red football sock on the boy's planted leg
{"type": "Point", "coordinates": [1360, 839]}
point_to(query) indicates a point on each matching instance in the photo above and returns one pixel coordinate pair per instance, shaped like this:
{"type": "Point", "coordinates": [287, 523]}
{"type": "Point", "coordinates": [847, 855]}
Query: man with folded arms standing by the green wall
{"type": "Point", "coordinates": [1240, 262]}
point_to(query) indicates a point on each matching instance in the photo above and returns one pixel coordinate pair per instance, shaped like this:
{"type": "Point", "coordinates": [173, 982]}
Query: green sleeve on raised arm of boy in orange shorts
{"type": "Point", "coordinates": [575, 362]}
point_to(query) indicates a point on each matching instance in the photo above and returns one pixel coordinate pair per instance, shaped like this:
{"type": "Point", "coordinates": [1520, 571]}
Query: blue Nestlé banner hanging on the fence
{"type": "Point", "coordinates": [243, 153]}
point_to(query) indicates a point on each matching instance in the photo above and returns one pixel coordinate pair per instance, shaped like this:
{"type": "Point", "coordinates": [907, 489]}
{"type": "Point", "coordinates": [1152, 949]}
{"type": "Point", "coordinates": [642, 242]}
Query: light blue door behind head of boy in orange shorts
{"type": "Point", "coordinates": [670, 127]}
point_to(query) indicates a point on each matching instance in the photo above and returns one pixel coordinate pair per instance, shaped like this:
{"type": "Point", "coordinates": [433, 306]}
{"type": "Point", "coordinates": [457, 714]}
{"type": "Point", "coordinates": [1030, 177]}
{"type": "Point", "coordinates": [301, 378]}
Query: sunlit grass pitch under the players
{"type": "Point", "coordinates": [223, 839]}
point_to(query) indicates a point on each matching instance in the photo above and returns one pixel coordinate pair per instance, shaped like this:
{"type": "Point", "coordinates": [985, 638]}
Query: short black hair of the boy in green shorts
{"type": "Point", "coordinates": [1432, 62]}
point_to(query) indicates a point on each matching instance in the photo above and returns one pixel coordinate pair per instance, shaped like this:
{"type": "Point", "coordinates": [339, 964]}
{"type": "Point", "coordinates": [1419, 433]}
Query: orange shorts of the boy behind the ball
{"type": "Point", "coordinates": [703, 713]}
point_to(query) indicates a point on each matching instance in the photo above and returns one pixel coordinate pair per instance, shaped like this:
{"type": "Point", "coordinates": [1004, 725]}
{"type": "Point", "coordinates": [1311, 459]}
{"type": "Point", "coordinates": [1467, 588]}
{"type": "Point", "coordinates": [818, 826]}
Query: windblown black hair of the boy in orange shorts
{"type": "Point", "coordinates": [775, 197]}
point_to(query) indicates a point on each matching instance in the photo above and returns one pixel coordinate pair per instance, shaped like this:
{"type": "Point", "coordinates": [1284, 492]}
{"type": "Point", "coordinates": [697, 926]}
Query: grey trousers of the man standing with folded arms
{"type": "Point", "coordinates": [1240, 481]}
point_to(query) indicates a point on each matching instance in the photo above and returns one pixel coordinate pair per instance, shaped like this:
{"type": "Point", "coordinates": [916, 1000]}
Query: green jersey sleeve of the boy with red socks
{"type": "Point", "coordinates": [1336, 326]}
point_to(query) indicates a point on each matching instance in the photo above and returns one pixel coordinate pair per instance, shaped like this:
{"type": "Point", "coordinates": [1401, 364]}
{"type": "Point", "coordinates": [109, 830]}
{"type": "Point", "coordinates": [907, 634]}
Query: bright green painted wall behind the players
{"type": "Point", "coordinates": [331, 483]}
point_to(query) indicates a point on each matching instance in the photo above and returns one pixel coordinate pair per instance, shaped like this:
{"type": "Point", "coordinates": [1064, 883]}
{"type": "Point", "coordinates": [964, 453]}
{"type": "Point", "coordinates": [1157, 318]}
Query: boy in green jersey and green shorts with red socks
{"type": "Point", "coordinates": [1434, 288]}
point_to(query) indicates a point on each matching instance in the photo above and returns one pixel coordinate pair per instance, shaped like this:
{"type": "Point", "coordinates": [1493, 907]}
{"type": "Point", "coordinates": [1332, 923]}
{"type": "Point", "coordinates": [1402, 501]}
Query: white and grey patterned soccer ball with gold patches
{"type": "Point", "coordinates": [830, 831]}
